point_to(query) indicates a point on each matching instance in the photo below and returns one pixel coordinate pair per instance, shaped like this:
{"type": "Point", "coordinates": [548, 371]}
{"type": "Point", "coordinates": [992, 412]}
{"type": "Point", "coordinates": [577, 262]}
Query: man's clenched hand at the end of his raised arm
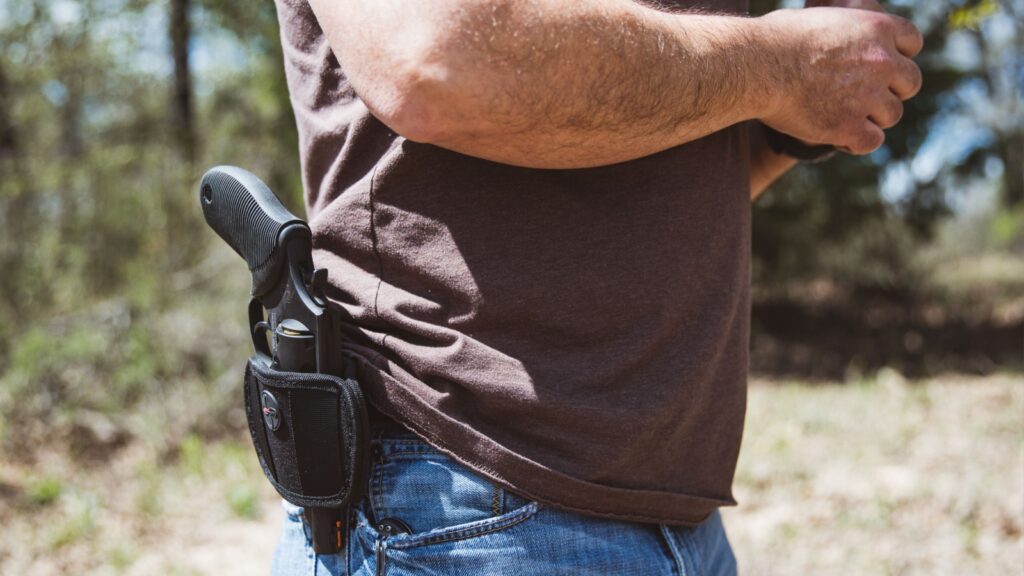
{"type": "Point", "coordinates": [852, 72]}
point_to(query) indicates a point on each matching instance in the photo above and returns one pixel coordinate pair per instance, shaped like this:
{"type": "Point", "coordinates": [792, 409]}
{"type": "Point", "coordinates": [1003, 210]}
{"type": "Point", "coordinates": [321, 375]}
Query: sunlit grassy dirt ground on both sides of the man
{"type": "Point", "coordinates": [884, 477]}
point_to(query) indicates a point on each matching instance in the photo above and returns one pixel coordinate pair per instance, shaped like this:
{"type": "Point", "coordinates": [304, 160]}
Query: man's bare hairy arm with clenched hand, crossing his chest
{"type": "Point", "coordinates": [553, 85]}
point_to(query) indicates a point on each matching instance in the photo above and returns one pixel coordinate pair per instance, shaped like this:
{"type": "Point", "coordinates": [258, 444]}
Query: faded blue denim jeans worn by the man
{"type": "Point", "coordinates": [426, 514]}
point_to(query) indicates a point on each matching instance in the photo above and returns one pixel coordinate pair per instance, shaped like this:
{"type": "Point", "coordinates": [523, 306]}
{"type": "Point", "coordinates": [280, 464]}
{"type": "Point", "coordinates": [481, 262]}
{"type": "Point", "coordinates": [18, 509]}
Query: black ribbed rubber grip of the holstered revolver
{"type": "Point", "coordinates": [244, 212]}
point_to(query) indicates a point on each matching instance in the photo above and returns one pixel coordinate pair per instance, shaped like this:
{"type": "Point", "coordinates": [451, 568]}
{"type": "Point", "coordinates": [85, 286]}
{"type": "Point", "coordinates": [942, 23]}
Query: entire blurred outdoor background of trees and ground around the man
{"type": "Point", "coordinates": [886, 424]}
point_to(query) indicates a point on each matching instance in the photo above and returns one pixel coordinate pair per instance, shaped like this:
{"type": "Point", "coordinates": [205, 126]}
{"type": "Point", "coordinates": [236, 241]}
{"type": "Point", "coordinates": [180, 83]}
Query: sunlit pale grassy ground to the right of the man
{"type": "Point", "coordinates": [883, 478]}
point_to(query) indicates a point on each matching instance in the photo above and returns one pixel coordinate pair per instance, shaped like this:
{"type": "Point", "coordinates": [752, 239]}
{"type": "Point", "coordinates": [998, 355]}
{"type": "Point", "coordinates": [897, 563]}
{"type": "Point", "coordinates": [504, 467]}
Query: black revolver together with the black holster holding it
{"type": "Point", "coordinates": [310, 429]}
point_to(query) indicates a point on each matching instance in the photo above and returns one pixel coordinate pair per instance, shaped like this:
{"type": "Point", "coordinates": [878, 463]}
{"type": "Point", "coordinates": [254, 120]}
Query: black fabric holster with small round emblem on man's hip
{"type": "Point", "coordinates": [311, 434]}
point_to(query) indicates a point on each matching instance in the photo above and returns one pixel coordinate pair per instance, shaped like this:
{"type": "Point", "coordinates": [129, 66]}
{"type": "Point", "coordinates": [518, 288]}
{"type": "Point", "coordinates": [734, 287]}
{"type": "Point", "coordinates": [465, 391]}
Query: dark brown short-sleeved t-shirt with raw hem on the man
{"type": "Point", "coordinates": [579, 337]}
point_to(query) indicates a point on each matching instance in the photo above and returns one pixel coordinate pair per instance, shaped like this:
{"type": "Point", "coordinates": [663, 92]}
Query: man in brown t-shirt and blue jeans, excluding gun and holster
{"type": "Point", "coordinates": [536, 217]}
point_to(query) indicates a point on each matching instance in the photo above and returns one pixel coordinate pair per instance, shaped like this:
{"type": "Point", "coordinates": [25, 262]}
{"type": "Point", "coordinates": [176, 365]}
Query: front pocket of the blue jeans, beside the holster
{"type": "Point", "coordinates": [433, 499]}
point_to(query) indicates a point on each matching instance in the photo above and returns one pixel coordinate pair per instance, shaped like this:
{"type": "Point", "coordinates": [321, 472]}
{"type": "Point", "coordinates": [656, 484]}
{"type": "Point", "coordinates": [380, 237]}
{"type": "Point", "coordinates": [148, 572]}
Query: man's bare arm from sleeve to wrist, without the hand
{"type": "Point", "coordinates": [545, 84]}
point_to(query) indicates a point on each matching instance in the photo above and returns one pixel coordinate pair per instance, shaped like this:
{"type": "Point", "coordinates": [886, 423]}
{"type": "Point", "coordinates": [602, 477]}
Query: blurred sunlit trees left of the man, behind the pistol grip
{"type": "Point", "coordinates": [100, 145]}
